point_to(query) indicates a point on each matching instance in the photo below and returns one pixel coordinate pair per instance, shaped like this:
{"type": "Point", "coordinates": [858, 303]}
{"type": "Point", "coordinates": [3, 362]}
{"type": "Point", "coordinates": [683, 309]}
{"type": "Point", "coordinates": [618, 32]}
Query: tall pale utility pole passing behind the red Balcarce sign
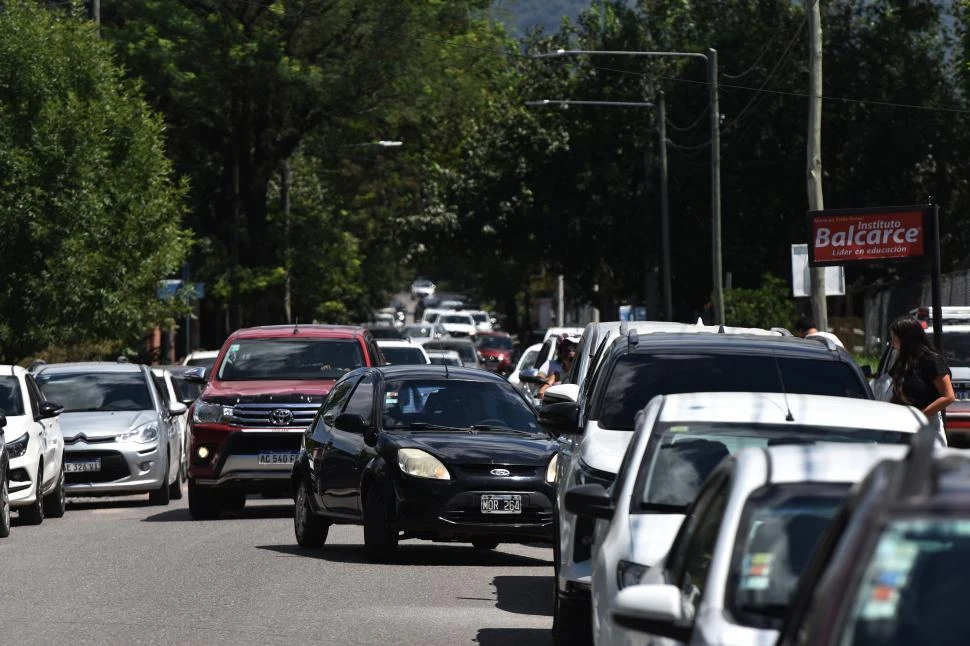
{"type": "Point", "coordinates": [814, 153]}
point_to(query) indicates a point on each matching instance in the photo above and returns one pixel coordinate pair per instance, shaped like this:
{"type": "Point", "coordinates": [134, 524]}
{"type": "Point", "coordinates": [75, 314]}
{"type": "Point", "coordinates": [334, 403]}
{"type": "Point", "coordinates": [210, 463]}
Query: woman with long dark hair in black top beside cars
{"type": "Point", "coordinates": [920, 375]}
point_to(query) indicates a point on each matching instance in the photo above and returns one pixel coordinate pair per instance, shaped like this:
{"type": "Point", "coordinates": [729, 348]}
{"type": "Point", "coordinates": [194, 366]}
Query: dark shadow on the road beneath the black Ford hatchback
{"type": "Point", "coordinates": [424, 555]}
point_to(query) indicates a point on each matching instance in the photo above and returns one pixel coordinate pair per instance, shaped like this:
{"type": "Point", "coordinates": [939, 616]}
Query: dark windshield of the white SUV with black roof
{"type": "Point", "coordinates": [638, 378]}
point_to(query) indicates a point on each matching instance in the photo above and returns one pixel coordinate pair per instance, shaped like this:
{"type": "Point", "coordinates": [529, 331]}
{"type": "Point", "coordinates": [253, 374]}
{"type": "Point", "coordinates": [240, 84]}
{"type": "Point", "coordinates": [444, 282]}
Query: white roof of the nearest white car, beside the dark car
{"type": "Point", "coordinates": [819, 462]}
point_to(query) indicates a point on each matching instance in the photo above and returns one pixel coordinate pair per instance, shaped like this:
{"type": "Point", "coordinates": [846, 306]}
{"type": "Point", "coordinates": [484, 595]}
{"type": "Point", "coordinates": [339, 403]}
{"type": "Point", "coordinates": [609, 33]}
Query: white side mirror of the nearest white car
{"type": "Point", "coordinates": [653, 609]}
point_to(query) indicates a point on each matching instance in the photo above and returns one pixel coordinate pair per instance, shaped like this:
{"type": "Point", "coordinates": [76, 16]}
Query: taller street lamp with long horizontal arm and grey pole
{"type": "Point", "coordinates": [711, 59]}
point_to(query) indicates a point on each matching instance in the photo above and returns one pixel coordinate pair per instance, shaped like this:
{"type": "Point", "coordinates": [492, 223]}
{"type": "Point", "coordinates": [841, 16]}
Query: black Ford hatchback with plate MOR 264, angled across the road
{"type": "Point", "coordinates": [430, 452]}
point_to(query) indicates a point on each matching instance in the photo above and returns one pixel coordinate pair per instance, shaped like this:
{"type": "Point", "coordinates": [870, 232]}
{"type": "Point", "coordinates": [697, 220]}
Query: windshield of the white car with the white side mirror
{"type": "Point", "coordinates": [780, 526]}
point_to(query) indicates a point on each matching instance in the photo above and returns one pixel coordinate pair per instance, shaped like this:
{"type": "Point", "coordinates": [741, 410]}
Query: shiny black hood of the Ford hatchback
{"type": "Point", "coordinates": [482, 448]}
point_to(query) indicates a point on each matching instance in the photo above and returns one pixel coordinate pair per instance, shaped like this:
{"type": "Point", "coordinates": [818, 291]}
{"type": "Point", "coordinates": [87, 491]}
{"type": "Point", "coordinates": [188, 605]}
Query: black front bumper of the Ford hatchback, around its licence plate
{"type": "Point", "coordinates": [451, 510]}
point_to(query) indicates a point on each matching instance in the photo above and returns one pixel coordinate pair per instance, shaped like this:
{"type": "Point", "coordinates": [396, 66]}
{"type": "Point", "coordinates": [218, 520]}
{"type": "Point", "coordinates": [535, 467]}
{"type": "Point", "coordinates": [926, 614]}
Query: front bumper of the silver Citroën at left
{"type": "Point", "coordinates": [123, 467]}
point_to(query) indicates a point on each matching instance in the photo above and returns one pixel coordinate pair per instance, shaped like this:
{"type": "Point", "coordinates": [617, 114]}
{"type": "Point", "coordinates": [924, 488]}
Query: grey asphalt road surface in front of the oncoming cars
{"type": "Point", "coordinates": [119, 571]}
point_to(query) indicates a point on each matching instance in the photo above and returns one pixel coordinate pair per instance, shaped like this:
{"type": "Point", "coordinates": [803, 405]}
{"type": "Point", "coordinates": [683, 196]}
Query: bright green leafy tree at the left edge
{"type": "Point", "coordinates": [90, 212]}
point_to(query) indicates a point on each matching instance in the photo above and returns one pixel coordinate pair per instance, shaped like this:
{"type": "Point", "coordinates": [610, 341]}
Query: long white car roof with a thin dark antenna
{"type": "Point", "coordinates": [773, 408]}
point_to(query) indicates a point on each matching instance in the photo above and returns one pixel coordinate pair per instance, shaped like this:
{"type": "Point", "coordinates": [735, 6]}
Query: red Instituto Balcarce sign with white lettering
{"type": "Point", "coordinates": [839, 237]}
